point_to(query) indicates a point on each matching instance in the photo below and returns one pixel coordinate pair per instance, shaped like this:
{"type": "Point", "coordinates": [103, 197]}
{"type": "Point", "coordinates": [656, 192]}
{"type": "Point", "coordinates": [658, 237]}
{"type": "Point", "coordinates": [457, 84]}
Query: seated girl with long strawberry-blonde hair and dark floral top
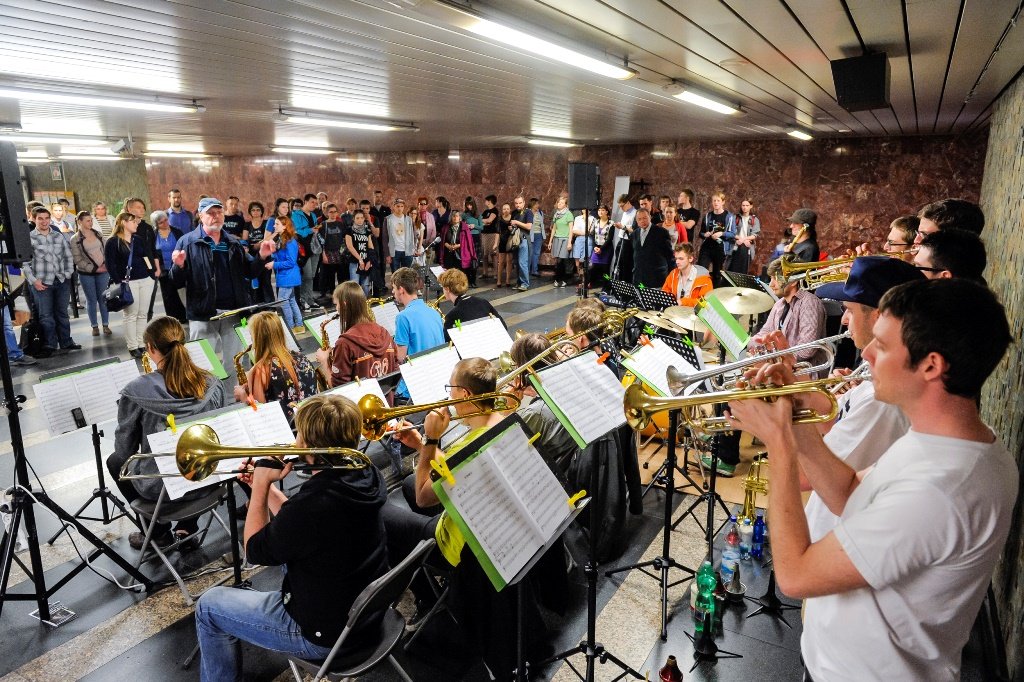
{"type": "Point", "coordinates": [279, 374]}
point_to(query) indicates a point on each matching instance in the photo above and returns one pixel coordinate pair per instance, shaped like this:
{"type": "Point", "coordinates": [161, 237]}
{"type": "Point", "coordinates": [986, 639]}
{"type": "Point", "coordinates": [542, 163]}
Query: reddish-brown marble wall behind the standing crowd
{"type": "Point", "coordinates": [858, 186]}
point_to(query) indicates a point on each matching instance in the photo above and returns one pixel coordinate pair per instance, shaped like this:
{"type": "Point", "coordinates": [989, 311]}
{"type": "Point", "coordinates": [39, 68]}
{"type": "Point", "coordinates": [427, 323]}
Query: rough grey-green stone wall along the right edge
{"type": "Point", "coordinates": [1003, 399]}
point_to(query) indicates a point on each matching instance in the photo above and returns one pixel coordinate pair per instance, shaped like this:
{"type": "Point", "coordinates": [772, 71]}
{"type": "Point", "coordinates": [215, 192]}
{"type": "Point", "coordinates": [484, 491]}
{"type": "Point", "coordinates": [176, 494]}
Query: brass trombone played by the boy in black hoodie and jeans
{"type": "Point", "coordinates": [199, 451]}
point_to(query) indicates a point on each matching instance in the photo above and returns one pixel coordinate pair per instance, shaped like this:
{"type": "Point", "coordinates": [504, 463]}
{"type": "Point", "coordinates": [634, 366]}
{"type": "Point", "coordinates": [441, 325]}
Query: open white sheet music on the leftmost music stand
{"type": "Point", "coordinates": [96, 391]}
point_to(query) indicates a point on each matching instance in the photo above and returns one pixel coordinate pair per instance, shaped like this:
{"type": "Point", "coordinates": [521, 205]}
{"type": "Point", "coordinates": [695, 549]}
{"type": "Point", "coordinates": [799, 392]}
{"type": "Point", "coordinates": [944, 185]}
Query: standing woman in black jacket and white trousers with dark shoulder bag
{"type": "Point", "coordinates": [126, 262]}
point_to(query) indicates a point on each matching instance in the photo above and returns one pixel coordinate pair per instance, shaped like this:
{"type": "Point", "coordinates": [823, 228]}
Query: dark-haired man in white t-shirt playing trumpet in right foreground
{"type": "Point", "coordinates": [893, 590]}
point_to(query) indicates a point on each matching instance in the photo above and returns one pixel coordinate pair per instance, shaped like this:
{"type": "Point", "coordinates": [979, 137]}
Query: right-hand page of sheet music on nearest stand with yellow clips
{"type": "Point", "coordinates": [540, 494]}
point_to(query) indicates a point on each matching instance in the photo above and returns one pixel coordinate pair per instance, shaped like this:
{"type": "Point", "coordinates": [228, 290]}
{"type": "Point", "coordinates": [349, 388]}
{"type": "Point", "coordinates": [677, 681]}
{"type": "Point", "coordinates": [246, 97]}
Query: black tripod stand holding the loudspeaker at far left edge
{"type": "Point", "coordinates": [23, 500]}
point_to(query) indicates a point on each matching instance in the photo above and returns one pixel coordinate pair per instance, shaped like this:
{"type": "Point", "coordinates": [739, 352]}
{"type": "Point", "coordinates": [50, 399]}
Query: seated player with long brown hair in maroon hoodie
{"type": "Point", "coordinates": [365, 349]}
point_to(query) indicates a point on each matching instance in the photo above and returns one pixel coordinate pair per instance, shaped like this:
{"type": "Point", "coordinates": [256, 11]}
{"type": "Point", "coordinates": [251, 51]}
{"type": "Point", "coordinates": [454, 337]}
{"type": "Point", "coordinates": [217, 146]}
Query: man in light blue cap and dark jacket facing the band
{"type": "Point", "coordinates": [218, 273]}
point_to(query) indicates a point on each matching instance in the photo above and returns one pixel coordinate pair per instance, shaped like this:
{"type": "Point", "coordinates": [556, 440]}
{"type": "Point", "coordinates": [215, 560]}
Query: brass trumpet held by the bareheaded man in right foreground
{"type": "Point", "coordinates": [639, 407]}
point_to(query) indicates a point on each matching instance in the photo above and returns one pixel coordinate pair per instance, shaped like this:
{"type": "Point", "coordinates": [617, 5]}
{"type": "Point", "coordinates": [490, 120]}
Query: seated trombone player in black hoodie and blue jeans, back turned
{"type": "Point", "coordinates": [328, 538]}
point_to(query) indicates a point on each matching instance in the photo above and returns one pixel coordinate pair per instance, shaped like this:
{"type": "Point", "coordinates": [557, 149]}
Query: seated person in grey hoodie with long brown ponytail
{"type": "Point", "coordinates": [179, 388]}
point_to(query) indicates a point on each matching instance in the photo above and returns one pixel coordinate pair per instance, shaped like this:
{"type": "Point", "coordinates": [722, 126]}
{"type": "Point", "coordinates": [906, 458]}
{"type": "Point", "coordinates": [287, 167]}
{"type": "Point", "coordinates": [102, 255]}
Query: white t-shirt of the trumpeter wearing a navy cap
{"type": "Point", "coordinates": [866, 430]}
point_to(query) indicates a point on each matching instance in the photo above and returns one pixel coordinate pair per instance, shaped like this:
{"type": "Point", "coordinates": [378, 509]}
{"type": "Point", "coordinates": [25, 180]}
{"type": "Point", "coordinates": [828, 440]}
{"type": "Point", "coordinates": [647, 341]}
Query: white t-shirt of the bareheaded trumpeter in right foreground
{"type": "Point", "coordinates": [925, 529]}
